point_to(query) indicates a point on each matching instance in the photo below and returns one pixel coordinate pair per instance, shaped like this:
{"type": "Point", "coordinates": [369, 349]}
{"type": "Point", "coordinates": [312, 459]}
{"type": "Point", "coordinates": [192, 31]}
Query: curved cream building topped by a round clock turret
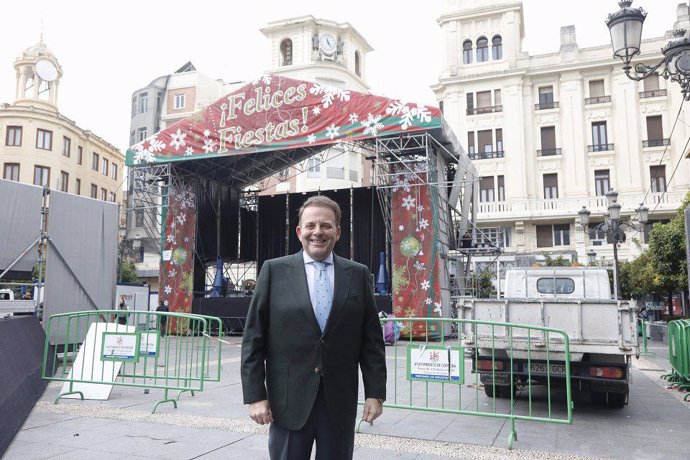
{"type": "Point", "coordinates": [40, 146]}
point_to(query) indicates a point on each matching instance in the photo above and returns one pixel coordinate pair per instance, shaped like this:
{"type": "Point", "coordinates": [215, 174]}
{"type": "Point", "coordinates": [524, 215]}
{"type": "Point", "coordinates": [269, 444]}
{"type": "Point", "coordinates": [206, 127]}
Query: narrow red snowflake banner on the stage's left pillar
{"type": "Point", "coordinates": [177, 261]}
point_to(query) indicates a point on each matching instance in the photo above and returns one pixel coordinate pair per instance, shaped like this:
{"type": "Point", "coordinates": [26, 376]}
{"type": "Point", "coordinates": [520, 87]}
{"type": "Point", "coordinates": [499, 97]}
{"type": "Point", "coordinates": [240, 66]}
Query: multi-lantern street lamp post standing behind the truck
{"type": "Point", "coordinates": [614, 228]}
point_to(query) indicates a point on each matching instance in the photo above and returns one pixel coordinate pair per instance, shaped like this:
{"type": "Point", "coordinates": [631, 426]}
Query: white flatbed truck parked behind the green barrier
{"type": "Point", "coordinates": [601, 331]}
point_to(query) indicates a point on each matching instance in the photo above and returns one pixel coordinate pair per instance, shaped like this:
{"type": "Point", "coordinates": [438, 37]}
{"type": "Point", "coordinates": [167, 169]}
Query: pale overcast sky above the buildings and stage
{"type": "Point", "coordinates": [110, 49]}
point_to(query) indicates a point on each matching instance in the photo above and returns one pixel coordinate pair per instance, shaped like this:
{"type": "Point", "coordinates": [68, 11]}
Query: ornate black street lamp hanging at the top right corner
{"type": "Point", "coordinates": [625, 26]}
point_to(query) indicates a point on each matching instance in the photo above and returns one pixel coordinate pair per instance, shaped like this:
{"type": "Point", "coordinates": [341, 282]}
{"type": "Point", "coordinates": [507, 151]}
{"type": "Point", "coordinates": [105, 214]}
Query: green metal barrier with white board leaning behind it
{"type": "Point", "coordinates": [151, 350]}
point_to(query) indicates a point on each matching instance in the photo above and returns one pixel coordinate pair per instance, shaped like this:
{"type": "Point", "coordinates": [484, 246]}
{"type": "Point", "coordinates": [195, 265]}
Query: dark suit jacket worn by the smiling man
{"type": "Point", "coordinates": [283, 345]}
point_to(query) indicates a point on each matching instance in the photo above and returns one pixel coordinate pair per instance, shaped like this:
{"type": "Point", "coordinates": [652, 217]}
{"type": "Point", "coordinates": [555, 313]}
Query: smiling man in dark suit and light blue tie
{"type": "Point", "coordinates": [302, 345]}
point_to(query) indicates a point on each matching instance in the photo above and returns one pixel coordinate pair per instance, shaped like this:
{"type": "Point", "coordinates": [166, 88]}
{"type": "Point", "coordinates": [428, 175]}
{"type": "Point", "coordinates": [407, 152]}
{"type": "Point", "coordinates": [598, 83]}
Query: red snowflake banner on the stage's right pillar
{"type": "Point", "coordinates": [415, 277]}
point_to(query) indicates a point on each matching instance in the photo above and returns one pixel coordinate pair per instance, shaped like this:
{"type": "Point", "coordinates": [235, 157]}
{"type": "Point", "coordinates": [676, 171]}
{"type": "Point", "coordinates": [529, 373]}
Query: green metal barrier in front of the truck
{"type": "Point", "coordinates": [431, 375]}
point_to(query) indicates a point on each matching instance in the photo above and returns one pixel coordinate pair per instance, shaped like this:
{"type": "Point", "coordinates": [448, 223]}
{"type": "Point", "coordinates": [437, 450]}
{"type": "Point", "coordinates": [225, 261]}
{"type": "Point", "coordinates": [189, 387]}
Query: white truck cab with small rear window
{"type": "Point", "coordinates": [557, 282]}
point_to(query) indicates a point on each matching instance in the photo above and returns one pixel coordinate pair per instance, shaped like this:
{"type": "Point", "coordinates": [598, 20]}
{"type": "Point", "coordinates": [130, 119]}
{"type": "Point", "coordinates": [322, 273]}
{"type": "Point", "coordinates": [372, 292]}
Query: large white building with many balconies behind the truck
{"type": "Point", "coordinates": [551, 133]}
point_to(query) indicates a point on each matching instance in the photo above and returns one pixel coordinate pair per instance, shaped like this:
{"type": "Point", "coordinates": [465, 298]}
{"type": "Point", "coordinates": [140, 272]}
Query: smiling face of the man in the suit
{"type": "Point", "coordinates": [318, 232]}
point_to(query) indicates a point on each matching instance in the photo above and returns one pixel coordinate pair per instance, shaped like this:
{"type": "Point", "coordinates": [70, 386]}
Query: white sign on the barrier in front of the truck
{"type": "Point", "coordinates": [435, 363]}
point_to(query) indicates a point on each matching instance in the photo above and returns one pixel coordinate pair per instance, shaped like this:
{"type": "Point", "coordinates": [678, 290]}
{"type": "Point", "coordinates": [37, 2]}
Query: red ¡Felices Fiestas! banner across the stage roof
{"type": "Point", "coordinates": [274, 113]}
